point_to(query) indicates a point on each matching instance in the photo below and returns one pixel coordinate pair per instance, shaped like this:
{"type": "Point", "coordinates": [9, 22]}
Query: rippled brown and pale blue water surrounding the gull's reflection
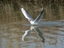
{"type": "Point", "coordinates": [10, 37]}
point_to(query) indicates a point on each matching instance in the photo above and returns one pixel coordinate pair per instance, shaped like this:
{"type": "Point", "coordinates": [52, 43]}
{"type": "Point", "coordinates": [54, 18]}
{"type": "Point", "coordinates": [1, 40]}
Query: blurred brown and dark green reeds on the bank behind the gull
{"type": "Point", "coordinates": [10, 9]}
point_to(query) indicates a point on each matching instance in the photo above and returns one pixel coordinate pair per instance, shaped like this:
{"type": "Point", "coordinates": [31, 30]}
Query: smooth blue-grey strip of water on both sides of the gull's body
{"type": "Point", "coordinates": [48, 23]}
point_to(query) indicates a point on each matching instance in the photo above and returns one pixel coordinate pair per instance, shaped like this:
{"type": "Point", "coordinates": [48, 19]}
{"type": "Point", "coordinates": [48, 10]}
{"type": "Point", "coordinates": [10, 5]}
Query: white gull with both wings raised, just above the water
{"type": "Point", "coordinates": [30, 19]}
